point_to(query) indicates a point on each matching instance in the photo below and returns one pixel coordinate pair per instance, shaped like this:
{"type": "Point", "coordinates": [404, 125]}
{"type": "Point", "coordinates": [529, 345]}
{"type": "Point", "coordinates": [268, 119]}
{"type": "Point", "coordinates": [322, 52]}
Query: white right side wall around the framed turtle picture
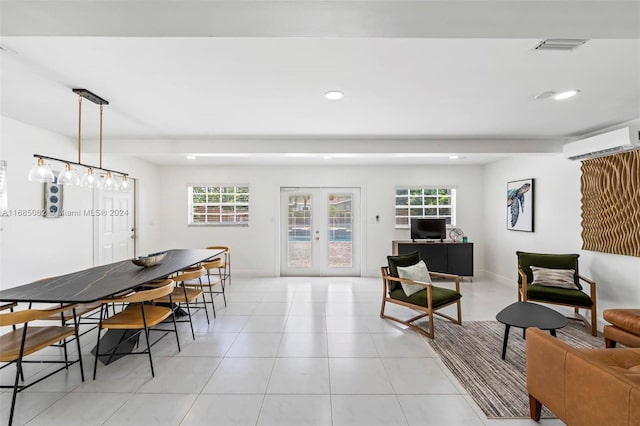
{"type": "Point", "coordinates": [557, 229]}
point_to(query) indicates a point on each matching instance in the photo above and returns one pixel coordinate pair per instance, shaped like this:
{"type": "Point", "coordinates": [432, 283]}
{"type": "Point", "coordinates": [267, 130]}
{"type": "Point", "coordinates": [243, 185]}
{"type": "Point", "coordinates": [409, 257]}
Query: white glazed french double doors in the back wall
{"type": "Point", "coordinates": [320, 231]}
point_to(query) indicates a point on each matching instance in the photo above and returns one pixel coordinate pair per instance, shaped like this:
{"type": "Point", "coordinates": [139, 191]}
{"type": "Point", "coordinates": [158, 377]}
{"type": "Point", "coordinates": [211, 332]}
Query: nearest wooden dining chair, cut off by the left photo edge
{"type": "Point", "coordinates": [20, 342]}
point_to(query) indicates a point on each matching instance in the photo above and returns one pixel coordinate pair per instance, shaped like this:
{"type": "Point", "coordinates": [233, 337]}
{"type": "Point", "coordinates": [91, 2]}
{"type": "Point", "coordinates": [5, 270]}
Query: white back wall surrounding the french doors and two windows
{"type": "Point", "coordinates": [255, 248]}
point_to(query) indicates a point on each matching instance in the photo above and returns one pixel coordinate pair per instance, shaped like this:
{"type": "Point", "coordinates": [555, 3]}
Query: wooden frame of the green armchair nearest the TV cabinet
{"type": "Point", "coordinates": [427, 311]}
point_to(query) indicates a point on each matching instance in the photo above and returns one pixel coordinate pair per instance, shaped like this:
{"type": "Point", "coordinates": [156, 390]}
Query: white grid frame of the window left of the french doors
{"type": "Point", "coordinates": [232, 212]}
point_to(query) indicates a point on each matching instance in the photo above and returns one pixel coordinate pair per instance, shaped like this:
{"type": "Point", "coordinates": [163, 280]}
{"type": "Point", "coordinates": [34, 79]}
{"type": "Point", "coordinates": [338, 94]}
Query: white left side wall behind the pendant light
{"type": "Point", "coordinates": [35, 247]}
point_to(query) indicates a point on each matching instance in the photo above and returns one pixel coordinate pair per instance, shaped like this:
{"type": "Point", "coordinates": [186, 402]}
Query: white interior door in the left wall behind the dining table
{"type": "Point", "coordinates": [114, 219]}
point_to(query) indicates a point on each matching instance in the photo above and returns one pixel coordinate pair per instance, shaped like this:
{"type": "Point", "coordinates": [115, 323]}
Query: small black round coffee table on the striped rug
{"type": "Point", "coordinates": [524, 315]}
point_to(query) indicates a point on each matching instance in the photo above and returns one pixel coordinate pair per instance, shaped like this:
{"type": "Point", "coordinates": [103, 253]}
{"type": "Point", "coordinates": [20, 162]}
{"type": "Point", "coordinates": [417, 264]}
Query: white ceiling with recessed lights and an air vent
{"type": "Point", "coordinates": [246, 79]}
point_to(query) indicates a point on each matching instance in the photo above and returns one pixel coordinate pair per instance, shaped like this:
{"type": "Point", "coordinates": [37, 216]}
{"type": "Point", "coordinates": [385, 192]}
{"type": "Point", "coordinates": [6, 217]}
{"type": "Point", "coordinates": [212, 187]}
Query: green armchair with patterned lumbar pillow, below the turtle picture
{"type": "Point", "coordinates": [553, 290]}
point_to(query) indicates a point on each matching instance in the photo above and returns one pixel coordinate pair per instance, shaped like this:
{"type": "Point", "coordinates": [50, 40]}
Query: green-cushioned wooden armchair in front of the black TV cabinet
{"type": "Point", "coordinates": [426, 300]}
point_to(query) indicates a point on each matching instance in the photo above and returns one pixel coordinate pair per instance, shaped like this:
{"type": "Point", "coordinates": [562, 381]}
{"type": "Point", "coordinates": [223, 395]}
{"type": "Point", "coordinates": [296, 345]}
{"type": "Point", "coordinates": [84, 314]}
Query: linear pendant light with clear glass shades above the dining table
{"type": "Point", "coordinates": [94, 177]}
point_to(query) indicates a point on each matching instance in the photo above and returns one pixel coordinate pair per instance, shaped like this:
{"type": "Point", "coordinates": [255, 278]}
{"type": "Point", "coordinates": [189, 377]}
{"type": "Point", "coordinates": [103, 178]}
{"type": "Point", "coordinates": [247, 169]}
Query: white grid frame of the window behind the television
{"type": "Point", "coordinates": [451, 205]}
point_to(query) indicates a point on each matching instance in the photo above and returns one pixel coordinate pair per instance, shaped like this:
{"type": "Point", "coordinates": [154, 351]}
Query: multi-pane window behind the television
{"type": "Point", "coordinates": [429, 202]}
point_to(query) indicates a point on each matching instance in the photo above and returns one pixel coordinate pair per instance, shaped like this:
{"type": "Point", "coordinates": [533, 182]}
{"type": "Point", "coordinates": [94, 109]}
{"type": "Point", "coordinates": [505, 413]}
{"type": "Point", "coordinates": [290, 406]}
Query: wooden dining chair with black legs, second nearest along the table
{"type": "Point", "coordinates": [141, 314]}
